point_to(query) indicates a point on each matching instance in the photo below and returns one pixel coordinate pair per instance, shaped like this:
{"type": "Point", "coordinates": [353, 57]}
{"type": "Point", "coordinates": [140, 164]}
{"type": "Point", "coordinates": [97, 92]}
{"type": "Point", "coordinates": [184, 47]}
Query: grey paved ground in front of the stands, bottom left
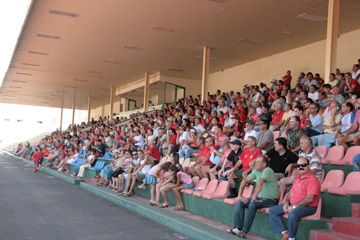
{"type": "Point", "coordinates": [40, 207]}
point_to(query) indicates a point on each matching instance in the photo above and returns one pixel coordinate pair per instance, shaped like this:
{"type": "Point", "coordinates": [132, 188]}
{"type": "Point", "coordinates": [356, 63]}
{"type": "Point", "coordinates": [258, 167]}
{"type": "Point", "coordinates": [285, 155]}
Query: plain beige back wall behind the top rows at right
{"type": "Point", "coordinates": [303, 59]}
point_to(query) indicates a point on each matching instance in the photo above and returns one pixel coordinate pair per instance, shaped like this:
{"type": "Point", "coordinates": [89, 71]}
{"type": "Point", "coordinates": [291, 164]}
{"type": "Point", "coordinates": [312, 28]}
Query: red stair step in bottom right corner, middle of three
{"type": "Point", "coordinates": [350, 226]}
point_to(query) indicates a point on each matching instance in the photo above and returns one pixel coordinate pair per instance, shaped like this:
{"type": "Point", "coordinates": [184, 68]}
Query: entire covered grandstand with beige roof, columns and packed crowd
{"type": "Point", "coordinates": [219, 119]}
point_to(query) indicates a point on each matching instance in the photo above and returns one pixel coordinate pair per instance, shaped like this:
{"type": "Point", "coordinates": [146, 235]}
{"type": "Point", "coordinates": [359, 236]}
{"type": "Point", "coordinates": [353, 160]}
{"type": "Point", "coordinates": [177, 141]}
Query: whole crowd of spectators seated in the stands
{"type": "Point", "coordinates": [229, 137]}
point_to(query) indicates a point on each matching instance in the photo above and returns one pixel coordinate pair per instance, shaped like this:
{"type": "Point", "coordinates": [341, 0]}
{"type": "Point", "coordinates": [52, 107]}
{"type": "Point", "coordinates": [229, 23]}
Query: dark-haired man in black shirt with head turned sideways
{"type": "Point", "coordinates": [280, 157]}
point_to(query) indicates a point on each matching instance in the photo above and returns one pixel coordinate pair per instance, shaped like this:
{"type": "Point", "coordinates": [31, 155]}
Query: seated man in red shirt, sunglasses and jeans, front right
{"type": "Point", "coordinates": [302, 201]}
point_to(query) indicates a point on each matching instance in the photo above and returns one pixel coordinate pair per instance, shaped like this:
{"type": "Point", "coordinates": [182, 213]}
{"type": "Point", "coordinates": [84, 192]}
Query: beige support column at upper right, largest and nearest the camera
{"type": "Point", "coordinates": [331, 37]}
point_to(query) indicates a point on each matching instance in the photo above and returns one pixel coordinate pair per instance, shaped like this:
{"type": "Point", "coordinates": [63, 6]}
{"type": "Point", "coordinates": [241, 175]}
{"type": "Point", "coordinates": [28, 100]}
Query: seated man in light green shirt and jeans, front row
{"type": "Point", "coordinates": [266, 194]}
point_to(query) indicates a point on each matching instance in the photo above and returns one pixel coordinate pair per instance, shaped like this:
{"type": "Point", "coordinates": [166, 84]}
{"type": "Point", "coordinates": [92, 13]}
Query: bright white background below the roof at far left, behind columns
{"type": "Point", "coordinates": [21, 122]}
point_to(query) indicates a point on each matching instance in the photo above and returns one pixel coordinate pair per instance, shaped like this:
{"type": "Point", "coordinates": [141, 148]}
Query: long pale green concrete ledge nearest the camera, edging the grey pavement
{"type": "Point", "coordinates": [183, 225]}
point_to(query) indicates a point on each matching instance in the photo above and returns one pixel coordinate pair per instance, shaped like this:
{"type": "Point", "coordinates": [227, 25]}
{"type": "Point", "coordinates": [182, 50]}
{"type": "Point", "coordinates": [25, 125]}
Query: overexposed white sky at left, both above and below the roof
{"type": "Point", "coordinates": [21, 122]}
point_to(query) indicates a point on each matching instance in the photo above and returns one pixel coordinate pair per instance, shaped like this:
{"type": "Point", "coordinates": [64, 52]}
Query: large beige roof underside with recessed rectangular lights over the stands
{"type": "Point", "coordinates": [92, 45]}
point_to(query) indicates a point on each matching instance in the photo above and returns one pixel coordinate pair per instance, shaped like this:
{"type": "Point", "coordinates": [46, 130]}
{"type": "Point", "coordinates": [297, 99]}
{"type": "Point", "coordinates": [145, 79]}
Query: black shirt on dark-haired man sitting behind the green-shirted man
{"type": "Point", "coordinates": [278, 162]}
